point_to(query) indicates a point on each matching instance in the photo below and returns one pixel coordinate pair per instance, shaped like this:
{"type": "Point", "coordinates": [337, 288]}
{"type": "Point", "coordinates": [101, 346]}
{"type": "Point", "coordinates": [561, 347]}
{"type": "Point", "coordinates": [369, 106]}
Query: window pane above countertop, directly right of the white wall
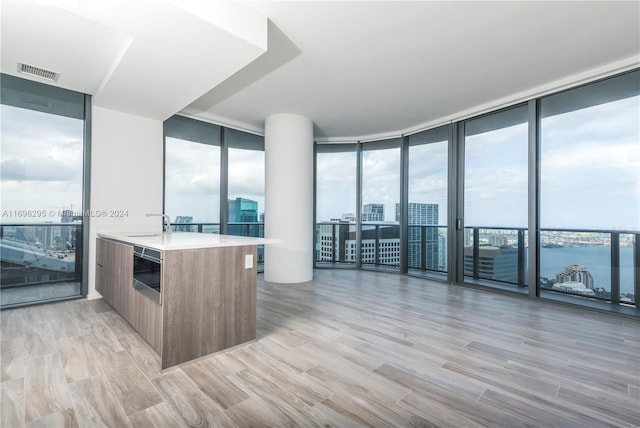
{"type": "Point", "coordinates": [192, 182]}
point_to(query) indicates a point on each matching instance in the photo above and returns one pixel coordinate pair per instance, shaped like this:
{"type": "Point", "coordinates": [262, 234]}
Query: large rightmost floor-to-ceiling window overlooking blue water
{"type": "Point", "coordinates": [590, 190]}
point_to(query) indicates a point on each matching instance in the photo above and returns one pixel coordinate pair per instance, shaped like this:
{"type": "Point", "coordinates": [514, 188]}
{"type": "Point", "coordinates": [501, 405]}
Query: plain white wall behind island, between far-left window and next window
{"type": "Point", "coordinates": [126, 175]}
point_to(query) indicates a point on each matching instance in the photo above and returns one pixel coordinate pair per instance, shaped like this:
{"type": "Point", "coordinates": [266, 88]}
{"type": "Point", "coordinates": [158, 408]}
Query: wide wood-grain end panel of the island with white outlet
{"type": "Point", "coordinates": [209, 302]}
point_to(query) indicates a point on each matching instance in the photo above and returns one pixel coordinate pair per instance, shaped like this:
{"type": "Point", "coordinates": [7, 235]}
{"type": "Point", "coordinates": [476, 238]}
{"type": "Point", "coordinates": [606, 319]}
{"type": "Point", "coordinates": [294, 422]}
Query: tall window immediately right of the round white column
{"type": "Point", "coordinates": [336, 169]}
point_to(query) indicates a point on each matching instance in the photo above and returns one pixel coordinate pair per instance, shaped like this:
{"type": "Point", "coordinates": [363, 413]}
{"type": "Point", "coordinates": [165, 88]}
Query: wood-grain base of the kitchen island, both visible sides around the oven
{"type": "Point", "coordinates": [208, 298]}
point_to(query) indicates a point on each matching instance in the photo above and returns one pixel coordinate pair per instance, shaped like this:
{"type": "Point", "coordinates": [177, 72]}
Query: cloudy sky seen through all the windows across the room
{"type": "Point", "coordinates": [590, 172]}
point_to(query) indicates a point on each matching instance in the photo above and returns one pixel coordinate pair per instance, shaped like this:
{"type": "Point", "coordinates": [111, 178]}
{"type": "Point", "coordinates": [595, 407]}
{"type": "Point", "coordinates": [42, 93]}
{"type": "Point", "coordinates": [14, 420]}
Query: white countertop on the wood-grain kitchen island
{"type": "Point", "coordinates": [184, 240]}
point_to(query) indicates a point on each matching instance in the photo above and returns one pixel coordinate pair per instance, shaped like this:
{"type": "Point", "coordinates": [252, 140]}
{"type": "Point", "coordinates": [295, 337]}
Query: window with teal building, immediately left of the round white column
{"type": "Point", "coordinates": [245, 185]}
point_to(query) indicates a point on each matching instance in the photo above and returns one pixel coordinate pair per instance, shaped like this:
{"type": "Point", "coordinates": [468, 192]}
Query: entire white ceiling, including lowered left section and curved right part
{"type": "Point", "coordinates": [355, 68]}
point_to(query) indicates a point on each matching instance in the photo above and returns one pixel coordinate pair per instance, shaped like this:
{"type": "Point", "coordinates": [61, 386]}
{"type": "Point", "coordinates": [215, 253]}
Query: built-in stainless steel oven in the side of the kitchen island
{"type": "Point", "coordinates": [147, 271]}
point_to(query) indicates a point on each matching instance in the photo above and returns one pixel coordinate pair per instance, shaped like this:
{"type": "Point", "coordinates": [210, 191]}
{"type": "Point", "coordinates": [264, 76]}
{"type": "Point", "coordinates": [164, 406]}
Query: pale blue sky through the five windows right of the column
{"type": "Point", "coordinates": [590, 173]}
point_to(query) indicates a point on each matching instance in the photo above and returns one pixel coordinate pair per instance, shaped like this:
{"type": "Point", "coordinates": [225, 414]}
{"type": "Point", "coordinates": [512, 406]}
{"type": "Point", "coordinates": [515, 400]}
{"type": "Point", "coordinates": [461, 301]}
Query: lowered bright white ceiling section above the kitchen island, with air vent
{"type": "Point", "coordinates": [149, 58]}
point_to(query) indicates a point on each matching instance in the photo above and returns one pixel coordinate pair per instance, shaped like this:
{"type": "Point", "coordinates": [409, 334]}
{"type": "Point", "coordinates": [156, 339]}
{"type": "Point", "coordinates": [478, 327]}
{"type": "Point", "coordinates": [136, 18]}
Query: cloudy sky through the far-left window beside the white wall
{"type": "Point", "coordinates": [41, 165]}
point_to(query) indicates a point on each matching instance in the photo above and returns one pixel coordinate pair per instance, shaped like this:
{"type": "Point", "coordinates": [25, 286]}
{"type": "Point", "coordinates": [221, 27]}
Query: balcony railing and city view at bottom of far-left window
{"type": "Point", "coordinates": [33, 254]}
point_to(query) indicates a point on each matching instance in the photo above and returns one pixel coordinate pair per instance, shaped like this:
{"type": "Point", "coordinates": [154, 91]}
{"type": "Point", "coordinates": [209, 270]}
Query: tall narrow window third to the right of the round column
{"type": "Point", "coordinates": [428, 201]}
